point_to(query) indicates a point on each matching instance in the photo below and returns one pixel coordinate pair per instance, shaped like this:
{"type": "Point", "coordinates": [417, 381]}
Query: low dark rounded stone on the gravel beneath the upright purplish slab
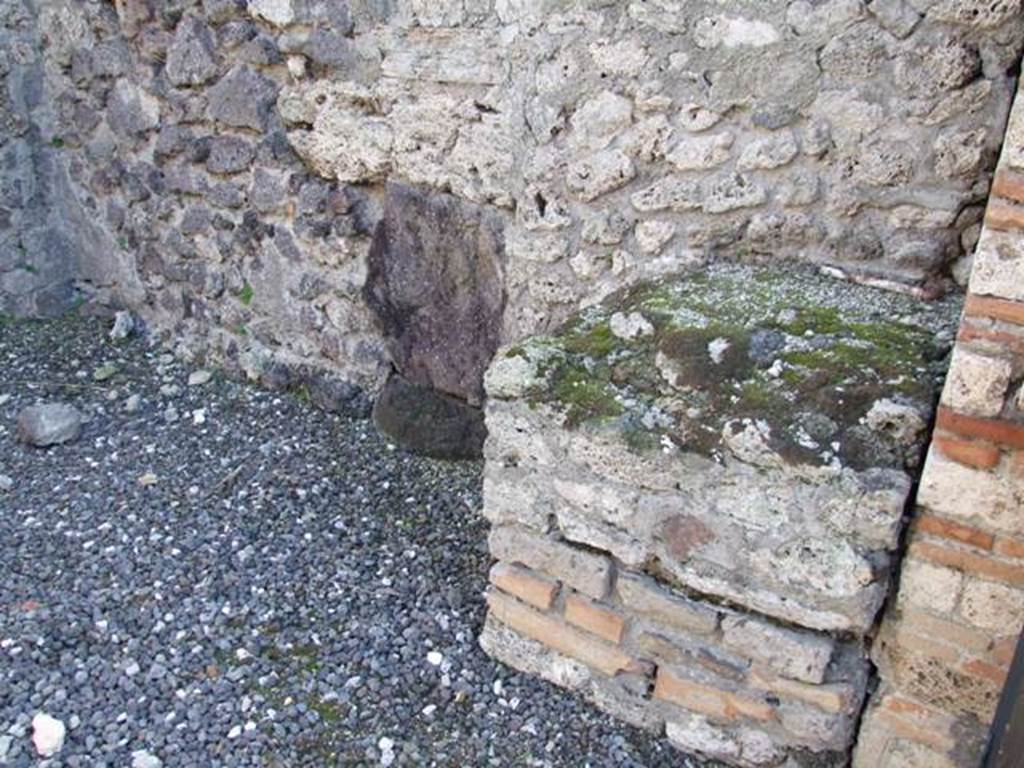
{"type": "Point", "coordinates": [429, 422]}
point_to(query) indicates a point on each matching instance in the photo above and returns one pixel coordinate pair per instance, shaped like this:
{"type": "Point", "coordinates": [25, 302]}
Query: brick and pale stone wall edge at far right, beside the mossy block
{"type": "Point", "coordinates": [947, 644]}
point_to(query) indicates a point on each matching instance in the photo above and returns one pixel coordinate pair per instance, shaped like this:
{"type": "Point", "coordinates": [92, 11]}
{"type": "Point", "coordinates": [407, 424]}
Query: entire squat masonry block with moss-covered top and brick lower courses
{"type": "Point", "coordinates": [698, 491]}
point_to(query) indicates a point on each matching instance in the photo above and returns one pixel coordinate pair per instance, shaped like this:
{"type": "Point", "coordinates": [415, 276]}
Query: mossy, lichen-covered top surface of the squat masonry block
{"type": "Point", "coordinates": [804, 356]}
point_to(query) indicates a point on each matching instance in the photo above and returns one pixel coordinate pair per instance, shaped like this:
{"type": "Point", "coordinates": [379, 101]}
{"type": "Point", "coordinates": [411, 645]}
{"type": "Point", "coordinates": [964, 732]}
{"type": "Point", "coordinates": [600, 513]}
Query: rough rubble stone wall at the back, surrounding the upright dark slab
{"type": "Point", "coordinates": [223, 165]}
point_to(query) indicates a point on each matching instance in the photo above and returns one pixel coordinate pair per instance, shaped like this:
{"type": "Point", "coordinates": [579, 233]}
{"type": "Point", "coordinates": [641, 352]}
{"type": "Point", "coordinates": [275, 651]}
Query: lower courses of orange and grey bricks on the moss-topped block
{"type": "Point", "coordinates": [717, 681]}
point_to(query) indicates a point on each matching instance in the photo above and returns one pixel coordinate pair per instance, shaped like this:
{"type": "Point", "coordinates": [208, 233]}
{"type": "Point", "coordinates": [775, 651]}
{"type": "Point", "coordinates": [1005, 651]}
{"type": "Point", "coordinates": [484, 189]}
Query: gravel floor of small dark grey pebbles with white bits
{"type": "Point", "coordinates": [228, 577]}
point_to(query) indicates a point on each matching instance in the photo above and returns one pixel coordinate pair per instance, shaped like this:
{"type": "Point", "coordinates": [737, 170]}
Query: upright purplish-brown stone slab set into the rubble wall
{"type": "Point", "coordinates": [436, 286]}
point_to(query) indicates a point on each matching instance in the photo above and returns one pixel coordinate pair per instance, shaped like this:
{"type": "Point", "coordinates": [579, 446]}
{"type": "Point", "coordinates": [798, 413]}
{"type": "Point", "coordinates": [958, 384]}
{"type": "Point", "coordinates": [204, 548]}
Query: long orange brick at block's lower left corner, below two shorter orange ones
{"type": "Point", "coordinates": [558, 635]}
